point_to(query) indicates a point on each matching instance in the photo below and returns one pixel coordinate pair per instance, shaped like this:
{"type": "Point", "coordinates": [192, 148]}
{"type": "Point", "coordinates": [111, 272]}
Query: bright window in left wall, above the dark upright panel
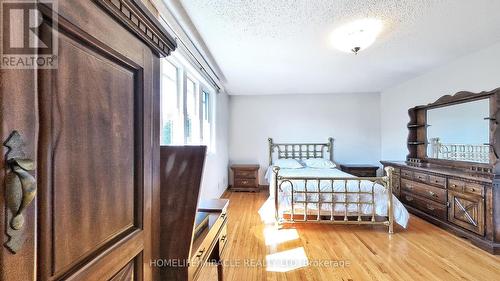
{"type": "Point", "coordinates": [186, 105]}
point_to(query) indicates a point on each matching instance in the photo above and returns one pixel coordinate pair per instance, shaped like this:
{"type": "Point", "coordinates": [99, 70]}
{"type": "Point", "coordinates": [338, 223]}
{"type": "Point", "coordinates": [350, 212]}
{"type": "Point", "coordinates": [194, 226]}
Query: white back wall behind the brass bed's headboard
{"type": "Point", "coordinates": [353, 120]}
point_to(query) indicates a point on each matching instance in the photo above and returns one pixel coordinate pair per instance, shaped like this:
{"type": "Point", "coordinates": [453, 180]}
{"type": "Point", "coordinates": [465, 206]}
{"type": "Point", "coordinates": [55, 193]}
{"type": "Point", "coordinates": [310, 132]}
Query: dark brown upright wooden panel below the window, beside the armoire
{"type": "Point", "coordinates": [181, 169]}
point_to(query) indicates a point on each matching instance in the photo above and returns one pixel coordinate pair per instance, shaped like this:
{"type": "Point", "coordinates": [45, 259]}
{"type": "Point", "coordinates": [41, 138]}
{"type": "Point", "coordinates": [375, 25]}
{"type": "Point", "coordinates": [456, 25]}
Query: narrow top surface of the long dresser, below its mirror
{"type": "Point", "coordinates": [449, 171]}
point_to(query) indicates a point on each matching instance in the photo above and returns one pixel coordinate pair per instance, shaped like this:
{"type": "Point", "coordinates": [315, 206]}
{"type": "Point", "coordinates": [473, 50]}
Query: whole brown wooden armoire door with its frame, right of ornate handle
{"type": "Point", "coordinates": [92, 169]}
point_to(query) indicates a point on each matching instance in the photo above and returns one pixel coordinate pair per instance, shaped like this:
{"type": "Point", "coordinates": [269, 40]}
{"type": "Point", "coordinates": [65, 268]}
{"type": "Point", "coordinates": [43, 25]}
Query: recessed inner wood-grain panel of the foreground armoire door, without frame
{"type": "Point", "coordinates": [94, 131]}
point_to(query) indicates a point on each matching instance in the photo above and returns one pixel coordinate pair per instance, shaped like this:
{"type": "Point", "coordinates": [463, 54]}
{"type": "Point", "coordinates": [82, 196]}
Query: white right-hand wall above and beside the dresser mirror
{"type": "Point", "coordinates": [476, 72]}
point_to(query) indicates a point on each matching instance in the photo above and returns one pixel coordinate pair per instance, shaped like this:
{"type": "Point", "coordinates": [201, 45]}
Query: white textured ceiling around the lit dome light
{"type": "Point", "coordinates": [282, 46]}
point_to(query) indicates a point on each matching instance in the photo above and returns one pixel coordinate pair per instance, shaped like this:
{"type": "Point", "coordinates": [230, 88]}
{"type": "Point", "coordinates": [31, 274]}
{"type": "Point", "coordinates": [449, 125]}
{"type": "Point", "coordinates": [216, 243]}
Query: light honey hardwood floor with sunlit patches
{"type": "Point", "coordinates": [422, 252]}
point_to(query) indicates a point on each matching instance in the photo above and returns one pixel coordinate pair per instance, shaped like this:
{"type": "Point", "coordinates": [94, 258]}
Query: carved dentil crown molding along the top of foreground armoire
{"type": "Point", "coordinates": [134, 16]}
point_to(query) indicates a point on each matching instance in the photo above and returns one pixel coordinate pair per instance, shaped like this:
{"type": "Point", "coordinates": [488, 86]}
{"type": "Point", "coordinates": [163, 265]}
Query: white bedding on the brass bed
{"type": "Point", "coordinates": [401, 215]}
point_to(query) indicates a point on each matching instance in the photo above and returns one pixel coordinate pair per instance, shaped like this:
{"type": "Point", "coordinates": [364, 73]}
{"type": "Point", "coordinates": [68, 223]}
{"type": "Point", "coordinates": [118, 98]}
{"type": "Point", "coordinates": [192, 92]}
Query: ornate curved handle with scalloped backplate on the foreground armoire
{"type": "Point", "coordinates": [20, 190]}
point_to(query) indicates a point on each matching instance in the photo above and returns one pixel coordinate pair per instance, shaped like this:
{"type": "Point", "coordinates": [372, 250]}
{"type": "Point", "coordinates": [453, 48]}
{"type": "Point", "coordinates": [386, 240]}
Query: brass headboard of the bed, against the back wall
{"type": "Point", "coordinates": [300, 150]}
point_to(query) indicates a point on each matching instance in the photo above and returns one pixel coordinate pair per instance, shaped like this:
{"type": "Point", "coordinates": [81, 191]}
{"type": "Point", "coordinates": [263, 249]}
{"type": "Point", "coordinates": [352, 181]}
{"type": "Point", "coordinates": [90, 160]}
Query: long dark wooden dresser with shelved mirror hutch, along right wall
{"type": "Point", "coordinates": [451, 184]}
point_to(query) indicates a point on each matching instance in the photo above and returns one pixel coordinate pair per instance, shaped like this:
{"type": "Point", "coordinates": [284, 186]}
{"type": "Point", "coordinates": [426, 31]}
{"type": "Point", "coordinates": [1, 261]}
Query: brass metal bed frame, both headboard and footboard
{"type": "Point", "coordinates": [319, 150]}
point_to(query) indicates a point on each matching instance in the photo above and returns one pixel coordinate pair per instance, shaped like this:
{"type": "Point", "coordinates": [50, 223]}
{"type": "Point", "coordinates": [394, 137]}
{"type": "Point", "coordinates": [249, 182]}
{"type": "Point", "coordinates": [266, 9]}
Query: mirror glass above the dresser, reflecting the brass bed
{"type": "Point", "coordinates": [459, 132]}
